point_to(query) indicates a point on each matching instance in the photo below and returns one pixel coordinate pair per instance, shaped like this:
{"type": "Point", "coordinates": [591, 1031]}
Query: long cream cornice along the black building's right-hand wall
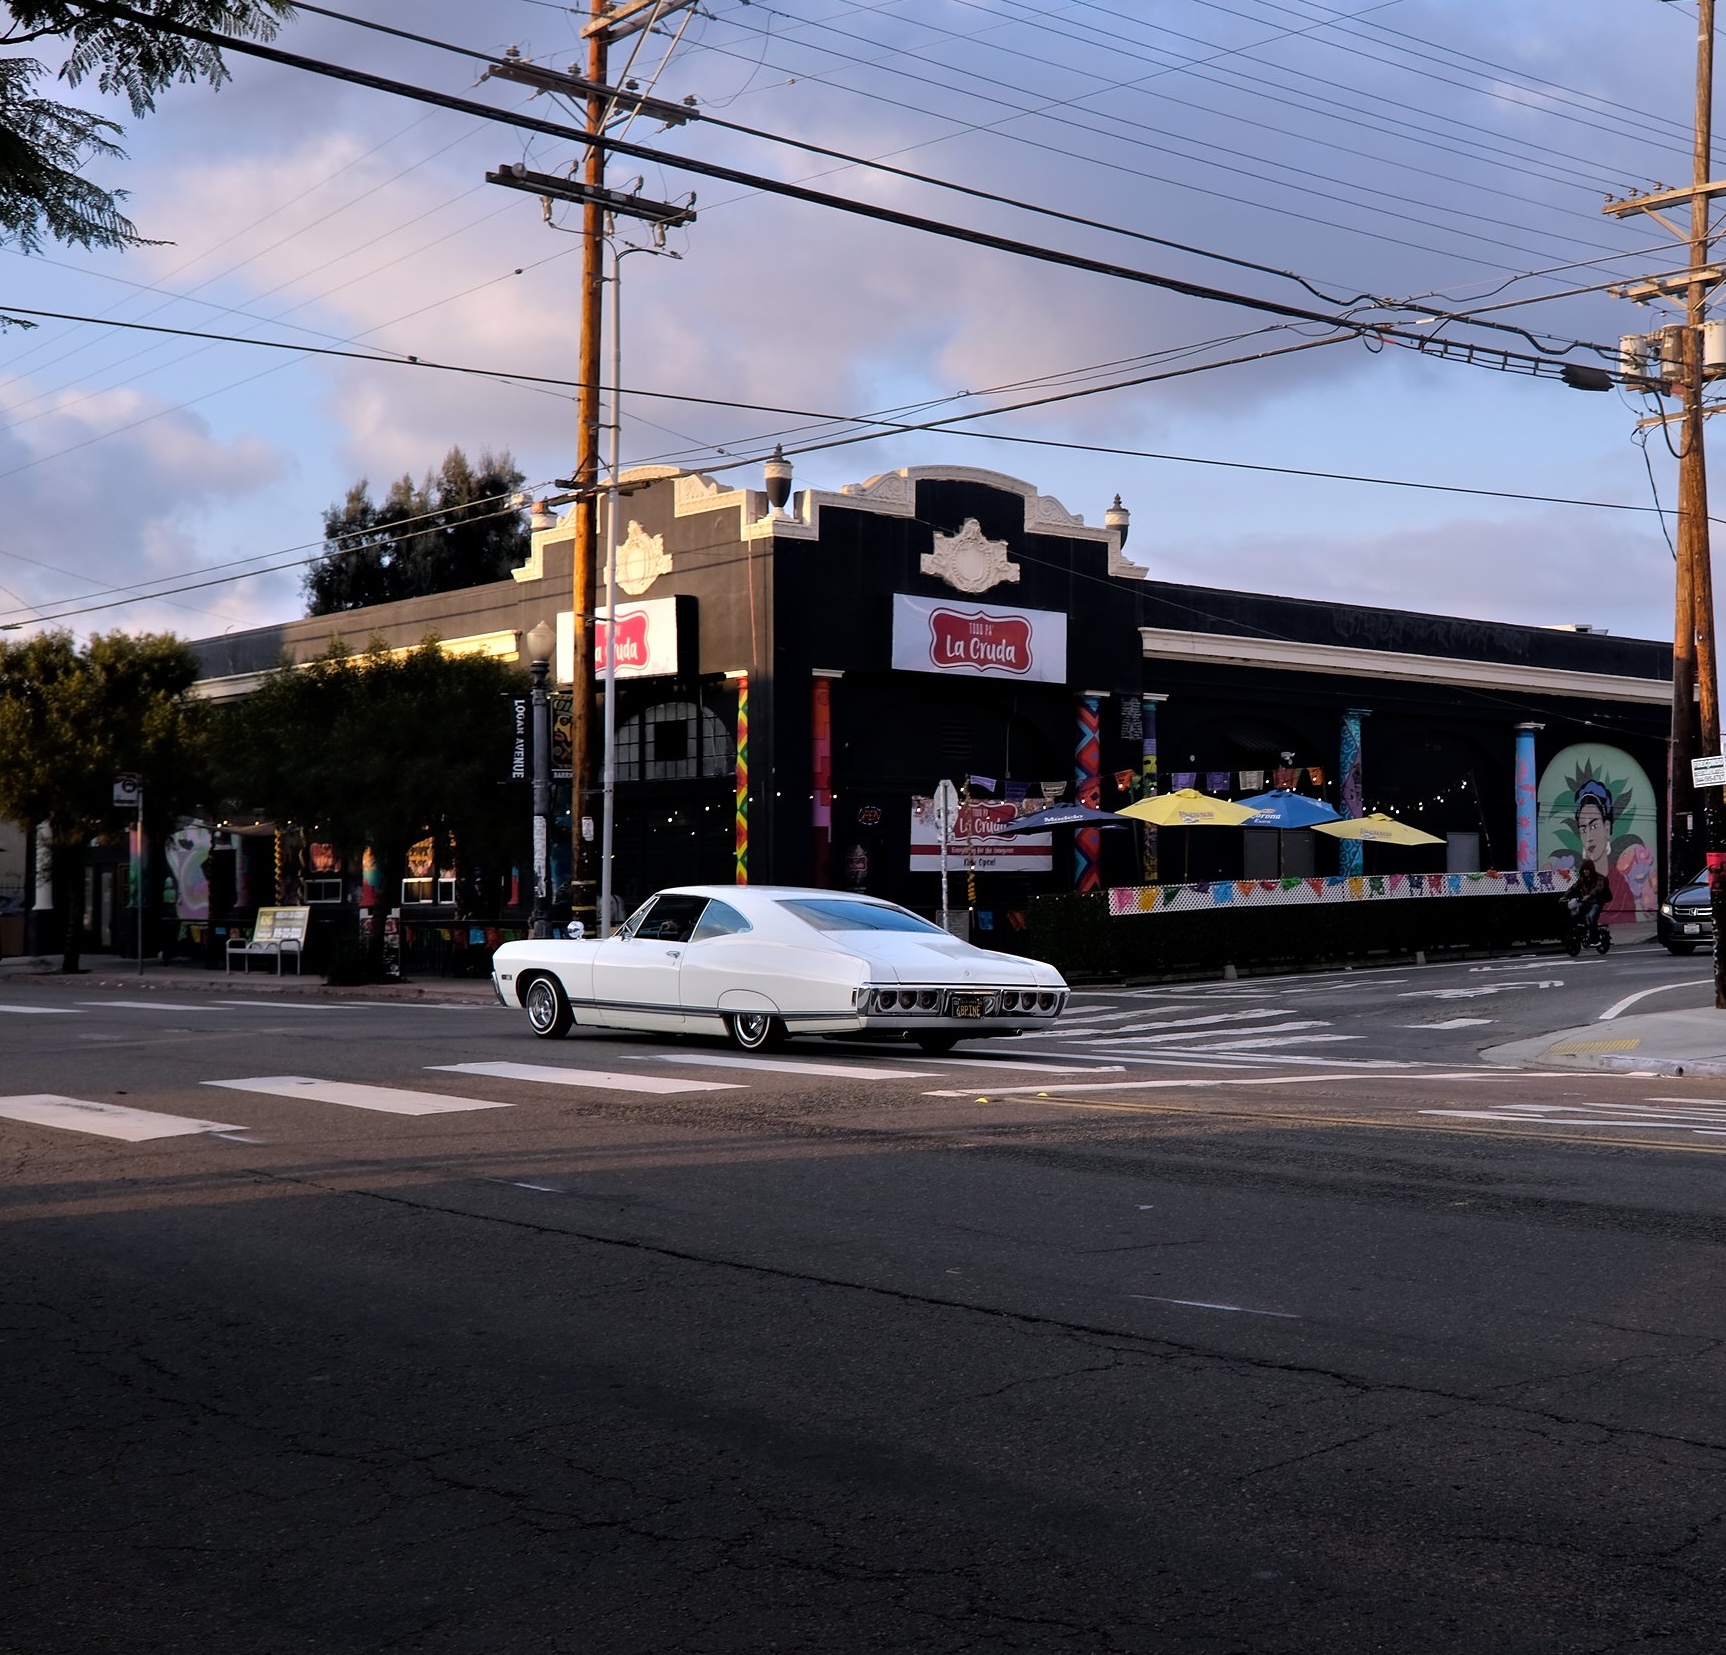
{"type": "Point", "coordinates": [1349, 662]}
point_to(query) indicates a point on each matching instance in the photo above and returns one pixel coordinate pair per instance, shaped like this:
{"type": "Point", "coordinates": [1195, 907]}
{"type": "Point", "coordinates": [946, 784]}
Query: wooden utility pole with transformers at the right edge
{"type": "Point", "coordinates": [1696, 679]}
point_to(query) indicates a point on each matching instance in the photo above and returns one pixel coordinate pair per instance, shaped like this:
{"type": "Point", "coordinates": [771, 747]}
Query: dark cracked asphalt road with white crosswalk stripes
{"type": "Point", "coordinates": [1235, 1318]}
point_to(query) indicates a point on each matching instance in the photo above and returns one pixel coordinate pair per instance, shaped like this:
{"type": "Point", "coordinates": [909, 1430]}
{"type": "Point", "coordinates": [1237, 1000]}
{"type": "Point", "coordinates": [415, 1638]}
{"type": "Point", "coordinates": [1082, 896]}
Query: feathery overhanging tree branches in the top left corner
{"type": "Point", "coordinates": [46, 148]}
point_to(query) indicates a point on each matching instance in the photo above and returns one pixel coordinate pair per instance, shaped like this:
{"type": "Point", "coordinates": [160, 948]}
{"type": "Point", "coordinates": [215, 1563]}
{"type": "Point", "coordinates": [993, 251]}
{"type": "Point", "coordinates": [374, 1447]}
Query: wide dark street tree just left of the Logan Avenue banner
{"type": "Point", "coordinates": [379, 752]}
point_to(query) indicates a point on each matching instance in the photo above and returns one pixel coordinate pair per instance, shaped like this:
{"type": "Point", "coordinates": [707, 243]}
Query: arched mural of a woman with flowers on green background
{"type": "Point", "coordinates": [1597, 805]}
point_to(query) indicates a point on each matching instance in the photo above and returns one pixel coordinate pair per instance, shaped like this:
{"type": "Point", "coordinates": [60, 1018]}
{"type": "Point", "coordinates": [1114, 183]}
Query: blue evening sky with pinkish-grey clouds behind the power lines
{"type": "Point", "coordinates": [1402, 153]}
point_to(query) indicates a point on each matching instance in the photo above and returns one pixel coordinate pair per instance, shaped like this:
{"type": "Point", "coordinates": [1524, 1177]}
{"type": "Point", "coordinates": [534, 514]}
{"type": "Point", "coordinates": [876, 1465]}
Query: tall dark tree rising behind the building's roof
{"type": "Point", "coordinates": [453, 531]}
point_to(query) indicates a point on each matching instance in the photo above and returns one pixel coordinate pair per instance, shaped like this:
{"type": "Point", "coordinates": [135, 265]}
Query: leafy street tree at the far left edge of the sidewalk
{"type": "Point", "coordinates": [72, 722]}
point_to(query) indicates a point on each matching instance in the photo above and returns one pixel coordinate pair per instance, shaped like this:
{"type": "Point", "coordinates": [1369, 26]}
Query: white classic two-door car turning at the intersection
{"type": "Point", "coordinates": [762, 962]}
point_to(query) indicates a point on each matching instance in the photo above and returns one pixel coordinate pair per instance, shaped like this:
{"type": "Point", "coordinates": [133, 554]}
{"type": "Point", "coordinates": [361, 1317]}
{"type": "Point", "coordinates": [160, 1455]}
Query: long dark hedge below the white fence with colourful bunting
{"type": "Point", "coordinates": [1152, 931]}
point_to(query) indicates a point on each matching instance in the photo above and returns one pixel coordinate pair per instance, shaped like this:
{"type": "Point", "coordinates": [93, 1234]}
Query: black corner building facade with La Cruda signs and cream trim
{"type": "Point", "coordinates": [795, 683]}
